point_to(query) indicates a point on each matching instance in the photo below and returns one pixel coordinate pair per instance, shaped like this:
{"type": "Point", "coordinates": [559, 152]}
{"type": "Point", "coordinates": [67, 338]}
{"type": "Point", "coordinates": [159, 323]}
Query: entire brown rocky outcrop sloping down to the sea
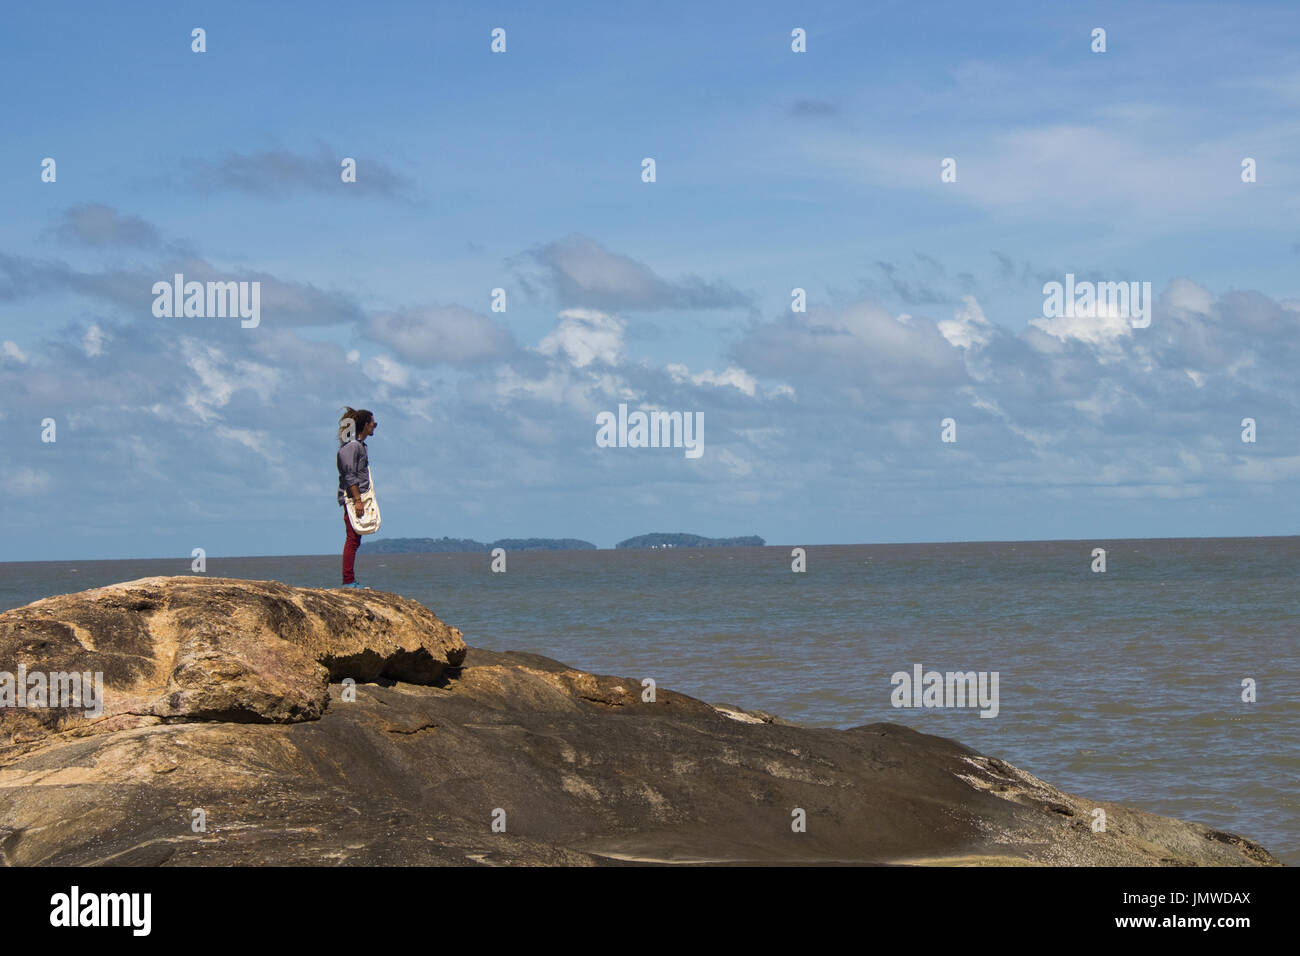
{"type": "Point", "coordinates": [241, 747]}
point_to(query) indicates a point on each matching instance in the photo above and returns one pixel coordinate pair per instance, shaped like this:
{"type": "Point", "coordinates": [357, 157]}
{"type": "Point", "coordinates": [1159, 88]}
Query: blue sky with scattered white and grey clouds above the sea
{"type": "Point", "coordinates": [523, 171]}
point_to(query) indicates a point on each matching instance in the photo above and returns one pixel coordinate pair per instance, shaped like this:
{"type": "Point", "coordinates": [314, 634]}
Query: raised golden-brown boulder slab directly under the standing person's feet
{"type": "Point", "coordinates": [216, 650]}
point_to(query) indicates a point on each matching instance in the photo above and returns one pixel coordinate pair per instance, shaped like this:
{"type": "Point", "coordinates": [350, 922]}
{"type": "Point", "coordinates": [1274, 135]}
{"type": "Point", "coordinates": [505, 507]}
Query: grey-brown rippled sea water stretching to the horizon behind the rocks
{"type": "Point", "coordinates": [1124, 686]}
